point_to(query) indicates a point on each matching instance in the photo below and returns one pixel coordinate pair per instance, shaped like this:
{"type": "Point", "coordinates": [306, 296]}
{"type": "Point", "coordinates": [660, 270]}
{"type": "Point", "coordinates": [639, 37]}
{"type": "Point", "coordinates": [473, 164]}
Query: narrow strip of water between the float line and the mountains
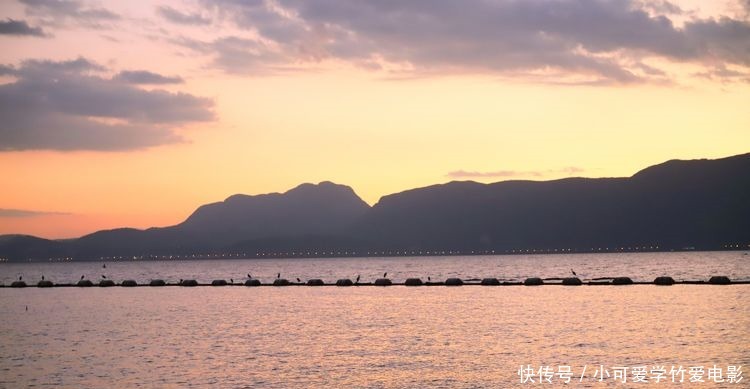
{"type": "Point", "coordinates": [639, 267]}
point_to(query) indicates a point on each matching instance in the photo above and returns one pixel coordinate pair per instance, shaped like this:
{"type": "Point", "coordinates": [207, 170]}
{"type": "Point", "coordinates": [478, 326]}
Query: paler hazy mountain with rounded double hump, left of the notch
{"type": "Point", "coordinates": [322, 209]}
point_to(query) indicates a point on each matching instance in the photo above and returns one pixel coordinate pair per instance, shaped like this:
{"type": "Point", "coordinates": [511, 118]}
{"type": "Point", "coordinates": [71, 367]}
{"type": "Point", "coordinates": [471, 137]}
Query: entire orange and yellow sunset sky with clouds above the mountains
{"type": "Point", "coordinates": [132, 114]}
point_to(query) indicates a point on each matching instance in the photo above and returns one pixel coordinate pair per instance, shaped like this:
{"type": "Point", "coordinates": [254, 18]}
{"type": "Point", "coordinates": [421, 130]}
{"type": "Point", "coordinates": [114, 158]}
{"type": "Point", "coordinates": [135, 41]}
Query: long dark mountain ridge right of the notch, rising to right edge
{"type": "Point", "coordinates": [702, 204]}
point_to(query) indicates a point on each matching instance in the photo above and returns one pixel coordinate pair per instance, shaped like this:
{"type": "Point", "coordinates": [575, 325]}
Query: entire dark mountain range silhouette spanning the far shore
{"type": "Point", "coordinates": [703, 204]}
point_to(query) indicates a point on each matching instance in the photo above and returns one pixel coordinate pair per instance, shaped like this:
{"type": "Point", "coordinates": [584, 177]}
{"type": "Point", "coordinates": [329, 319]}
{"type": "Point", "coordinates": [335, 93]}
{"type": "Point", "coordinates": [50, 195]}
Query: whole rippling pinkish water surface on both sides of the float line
{"type": "Point", "coordinates": [370, 337]}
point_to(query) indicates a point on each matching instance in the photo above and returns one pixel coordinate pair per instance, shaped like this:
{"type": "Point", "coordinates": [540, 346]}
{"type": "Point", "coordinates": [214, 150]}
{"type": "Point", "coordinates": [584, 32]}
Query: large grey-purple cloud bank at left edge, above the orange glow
{"type": "Point", "coordinates": [69, 105]}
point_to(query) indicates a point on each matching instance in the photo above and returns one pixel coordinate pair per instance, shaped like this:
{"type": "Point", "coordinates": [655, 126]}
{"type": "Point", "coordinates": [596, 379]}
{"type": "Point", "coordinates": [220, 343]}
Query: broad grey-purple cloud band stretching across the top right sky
{"type": "Point", "coordinates": [594, 40]}
